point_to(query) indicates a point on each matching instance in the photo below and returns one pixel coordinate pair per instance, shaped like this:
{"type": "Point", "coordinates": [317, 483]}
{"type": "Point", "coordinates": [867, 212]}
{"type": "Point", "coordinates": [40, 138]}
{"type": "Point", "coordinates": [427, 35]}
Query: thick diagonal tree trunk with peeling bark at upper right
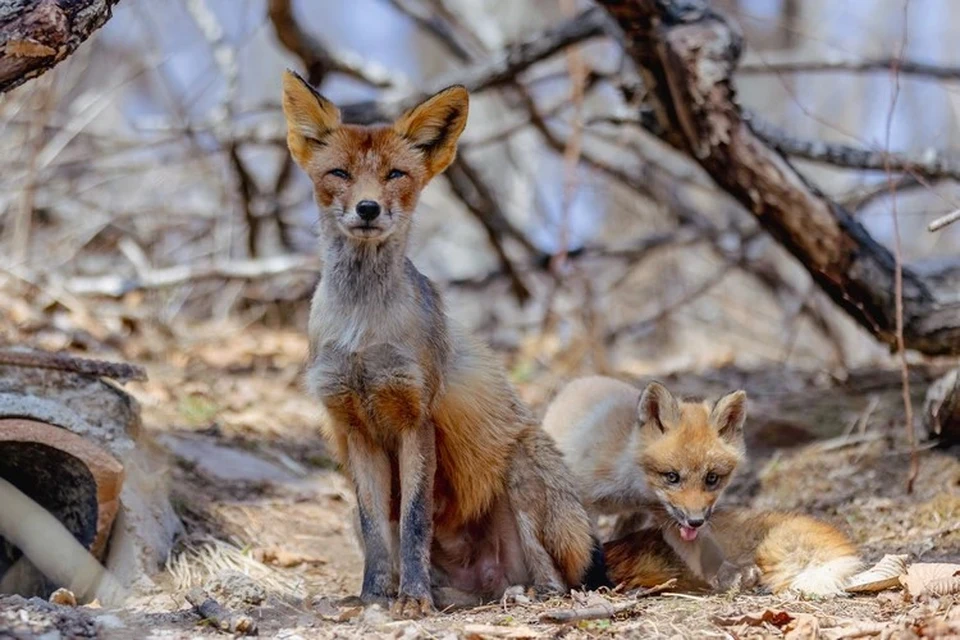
{"type": "Point", "coordinates": [687, 54]}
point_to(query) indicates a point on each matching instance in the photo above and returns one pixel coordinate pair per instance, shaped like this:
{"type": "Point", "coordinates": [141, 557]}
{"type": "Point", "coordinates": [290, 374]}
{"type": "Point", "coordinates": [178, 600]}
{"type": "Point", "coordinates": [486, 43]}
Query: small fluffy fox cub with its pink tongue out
{"type": "Point", "coordinates": [653, 461]}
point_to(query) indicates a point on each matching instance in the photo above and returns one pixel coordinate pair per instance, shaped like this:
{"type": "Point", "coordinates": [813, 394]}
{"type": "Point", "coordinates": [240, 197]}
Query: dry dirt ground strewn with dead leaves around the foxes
{"type": "Point", "coordinates": [268, 529]}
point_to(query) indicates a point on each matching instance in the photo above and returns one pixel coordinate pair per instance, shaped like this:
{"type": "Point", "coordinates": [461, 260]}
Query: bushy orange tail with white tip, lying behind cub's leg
{"type": "Point", "coordinates": [792, 553]}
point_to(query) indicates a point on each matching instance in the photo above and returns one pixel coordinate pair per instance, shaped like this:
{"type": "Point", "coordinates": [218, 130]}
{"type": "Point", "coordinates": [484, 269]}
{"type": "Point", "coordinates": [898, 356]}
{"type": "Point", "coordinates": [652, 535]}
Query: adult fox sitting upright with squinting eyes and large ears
{"type": "Point", "coordinates": [460, 493]}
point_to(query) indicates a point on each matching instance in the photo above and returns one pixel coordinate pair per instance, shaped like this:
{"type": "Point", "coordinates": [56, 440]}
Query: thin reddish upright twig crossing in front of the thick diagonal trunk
{"type": "Point", "coordinates": [898, 266]}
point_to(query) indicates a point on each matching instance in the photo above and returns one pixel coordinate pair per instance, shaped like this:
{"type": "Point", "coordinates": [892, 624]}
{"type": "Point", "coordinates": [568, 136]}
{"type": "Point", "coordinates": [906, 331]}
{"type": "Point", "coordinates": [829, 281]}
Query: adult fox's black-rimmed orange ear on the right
{"type": "Point", "coordinates": [434, 126]}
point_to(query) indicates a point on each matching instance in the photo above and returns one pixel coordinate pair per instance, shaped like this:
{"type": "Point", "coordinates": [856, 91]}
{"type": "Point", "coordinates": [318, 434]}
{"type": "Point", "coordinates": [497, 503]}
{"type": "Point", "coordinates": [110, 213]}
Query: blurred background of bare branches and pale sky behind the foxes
{"type": "Point", "coordinates": [147, 168]}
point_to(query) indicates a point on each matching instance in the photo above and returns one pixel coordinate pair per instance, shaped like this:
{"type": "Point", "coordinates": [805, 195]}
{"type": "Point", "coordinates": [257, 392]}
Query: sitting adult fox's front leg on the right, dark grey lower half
{"type": "Point", "coordinates": [418, 464]}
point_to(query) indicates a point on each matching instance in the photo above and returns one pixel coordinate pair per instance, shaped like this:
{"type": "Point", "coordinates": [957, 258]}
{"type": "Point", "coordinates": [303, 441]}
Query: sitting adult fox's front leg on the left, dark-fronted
{"type": "Point", "coordinates": [370, 468]}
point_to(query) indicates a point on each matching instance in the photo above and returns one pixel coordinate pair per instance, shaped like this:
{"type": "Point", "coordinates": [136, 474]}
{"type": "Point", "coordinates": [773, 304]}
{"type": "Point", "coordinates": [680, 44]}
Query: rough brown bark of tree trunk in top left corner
{"type": "Point", "coordinates": [35, 35]}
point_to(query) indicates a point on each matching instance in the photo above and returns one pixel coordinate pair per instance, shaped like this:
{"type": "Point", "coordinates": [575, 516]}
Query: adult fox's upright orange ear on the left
{"type": "Point", "coordinates": [310, 116]}
